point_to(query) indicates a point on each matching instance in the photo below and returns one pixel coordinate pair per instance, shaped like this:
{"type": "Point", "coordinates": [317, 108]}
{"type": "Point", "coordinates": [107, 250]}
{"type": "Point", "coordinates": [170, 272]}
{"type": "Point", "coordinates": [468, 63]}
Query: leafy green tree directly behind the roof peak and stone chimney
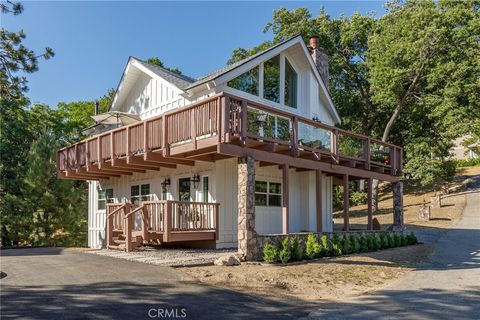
{"type": "Point", "coordinates": [345, 41]}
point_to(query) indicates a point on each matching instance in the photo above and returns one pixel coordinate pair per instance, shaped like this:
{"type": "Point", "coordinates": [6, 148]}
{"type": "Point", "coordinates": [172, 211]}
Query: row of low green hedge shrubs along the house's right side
{"type": "Point", "coordinates": [289, 248]}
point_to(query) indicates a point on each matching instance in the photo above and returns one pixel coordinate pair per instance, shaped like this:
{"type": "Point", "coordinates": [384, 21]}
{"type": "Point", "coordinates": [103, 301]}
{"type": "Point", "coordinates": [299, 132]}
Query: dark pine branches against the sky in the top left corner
{"type": "Point", "coordinates": [15, 57]}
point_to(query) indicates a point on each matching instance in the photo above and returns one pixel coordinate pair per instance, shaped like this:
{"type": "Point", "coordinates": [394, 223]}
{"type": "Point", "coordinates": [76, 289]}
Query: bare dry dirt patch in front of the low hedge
{"type": "Point", "coordinates": [323, 278]}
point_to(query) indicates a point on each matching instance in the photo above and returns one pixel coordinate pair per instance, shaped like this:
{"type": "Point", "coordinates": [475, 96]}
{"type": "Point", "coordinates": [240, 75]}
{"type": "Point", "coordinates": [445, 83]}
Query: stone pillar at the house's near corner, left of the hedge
{"type": "Point", "coordinates": [247, 237]}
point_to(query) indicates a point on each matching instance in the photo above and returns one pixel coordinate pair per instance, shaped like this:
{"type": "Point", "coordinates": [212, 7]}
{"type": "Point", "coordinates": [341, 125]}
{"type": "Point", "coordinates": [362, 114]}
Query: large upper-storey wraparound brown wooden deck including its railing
{"type": "Point", "coordinates": [224, 126]}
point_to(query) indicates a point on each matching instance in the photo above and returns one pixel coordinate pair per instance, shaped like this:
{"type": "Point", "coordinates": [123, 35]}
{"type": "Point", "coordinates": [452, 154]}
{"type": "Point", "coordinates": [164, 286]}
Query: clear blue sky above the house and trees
{"type": "Point", "coordinates": [93, 40]}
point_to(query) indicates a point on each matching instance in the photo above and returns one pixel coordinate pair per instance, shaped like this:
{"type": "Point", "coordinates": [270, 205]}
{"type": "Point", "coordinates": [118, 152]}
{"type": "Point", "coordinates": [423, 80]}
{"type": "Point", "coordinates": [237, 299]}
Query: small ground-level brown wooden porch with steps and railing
{"type": "Point", "coordinates": [160, 222]}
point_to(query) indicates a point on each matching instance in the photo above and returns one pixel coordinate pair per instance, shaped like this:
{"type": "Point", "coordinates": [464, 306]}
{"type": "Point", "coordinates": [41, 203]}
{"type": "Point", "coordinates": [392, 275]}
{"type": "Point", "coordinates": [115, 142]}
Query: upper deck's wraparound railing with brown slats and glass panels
{"type": "Point", "coordinates": [224, 118]}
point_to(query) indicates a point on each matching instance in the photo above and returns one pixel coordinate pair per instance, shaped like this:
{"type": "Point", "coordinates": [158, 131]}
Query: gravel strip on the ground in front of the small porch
{"type": "Point", "coordinates": [167, 256]}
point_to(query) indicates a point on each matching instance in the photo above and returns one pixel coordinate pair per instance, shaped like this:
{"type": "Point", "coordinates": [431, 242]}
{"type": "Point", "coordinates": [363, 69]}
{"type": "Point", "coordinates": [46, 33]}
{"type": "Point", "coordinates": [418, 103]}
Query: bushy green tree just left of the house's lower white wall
{"type": "Point", "coordinates": [56, 207]}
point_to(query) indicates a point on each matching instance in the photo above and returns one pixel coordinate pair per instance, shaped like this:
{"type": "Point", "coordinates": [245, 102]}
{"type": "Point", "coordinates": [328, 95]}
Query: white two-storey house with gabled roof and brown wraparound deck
{"type": "Point", "coordinates": [180, 170]}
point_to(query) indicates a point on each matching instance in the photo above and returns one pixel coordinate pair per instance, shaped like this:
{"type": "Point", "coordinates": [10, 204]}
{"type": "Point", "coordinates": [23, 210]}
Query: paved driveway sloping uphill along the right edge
{"type": "Point", "coordinates": [446, 286]}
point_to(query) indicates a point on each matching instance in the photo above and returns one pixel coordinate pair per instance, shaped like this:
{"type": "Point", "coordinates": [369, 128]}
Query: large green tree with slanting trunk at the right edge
{"type": "Point", "coordinates": [424, 61]}
